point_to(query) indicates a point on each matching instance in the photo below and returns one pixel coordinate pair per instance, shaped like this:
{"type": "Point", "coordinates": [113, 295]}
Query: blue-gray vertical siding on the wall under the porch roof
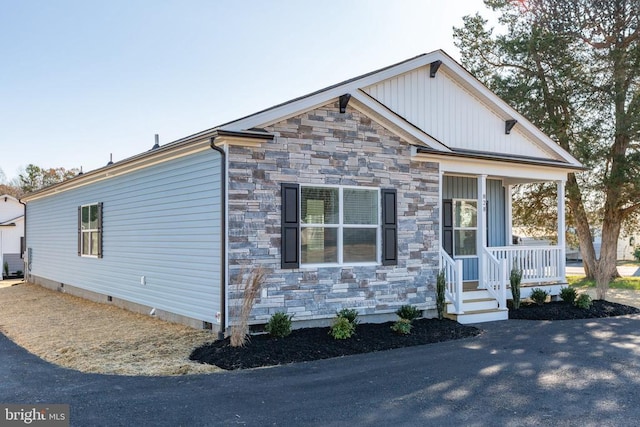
{"type": "Point", "coordinates": [457, 187]}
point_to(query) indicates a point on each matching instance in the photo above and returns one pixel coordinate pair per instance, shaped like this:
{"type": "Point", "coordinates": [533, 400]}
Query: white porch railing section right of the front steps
{"type": "Point", "coordinates": [539, 264]}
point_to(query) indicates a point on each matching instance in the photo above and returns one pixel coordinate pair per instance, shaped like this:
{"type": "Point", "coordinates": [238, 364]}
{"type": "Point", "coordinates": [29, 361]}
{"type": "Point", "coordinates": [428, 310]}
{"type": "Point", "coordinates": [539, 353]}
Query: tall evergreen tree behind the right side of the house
{"type": "Point", "coordinates": [573, 68]}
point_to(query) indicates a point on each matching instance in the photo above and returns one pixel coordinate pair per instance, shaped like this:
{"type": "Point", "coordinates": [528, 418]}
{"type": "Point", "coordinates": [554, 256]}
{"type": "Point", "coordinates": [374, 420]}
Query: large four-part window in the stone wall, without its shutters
{"type": "Point", "coordinates": [339, 225]}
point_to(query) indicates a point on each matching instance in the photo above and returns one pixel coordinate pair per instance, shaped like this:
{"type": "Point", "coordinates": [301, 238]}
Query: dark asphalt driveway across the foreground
{"type": "Point", "coordinates": [582, 373]}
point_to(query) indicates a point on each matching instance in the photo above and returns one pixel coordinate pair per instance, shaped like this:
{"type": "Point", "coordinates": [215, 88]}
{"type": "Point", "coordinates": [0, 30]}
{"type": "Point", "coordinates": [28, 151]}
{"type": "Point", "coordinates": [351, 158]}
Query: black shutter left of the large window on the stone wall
{"type": "Point", "coordinates": [290, 239]}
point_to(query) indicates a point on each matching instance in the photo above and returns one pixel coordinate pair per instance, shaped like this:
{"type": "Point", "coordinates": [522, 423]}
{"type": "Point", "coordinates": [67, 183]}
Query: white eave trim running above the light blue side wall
{"type": "Point", "coordinates": [145, 161]}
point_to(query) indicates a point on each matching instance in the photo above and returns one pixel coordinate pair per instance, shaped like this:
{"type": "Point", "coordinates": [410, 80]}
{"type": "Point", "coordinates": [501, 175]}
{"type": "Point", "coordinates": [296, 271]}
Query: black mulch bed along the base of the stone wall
{"type": "Point", "coordinates": [316, 343]}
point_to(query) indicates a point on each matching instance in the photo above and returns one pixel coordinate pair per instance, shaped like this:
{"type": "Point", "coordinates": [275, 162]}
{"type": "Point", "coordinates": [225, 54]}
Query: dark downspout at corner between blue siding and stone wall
{"type": "Point", "coordinates": [223, 237]}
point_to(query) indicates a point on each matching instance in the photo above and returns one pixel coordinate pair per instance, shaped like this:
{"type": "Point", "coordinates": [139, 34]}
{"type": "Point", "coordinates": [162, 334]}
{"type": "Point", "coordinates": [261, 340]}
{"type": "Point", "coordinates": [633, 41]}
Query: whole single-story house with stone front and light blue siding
{"type": "Point", "coordinates": [355, 196]}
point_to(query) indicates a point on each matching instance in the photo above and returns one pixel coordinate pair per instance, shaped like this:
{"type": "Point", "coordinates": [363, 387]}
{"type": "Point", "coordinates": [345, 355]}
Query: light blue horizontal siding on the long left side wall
{"type": "Point", "coordinates": [161, 222]}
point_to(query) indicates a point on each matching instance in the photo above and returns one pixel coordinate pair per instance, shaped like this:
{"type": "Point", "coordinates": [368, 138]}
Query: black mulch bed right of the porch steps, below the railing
{"type": "Point", "coordinates": [560, 310]}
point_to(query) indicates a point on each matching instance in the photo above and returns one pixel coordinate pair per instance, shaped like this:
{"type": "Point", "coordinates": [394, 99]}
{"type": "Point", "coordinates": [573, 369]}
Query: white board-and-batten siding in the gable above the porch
{"type": "Point", "coordinates": [445, 110]}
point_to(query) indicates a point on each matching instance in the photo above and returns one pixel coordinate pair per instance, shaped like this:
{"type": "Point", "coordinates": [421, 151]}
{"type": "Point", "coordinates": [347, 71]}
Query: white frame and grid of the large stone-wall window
{"type": "Point", "coordinates": [340, 226]}
